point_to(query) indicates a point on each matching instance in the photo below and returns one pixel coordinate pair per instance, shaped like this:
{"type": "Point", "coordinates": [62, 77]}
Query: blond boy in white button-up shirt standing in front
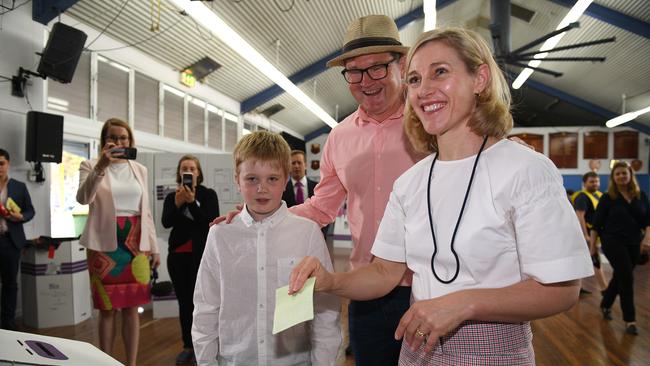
{"type": "Point", "coordinates": [246, 261]}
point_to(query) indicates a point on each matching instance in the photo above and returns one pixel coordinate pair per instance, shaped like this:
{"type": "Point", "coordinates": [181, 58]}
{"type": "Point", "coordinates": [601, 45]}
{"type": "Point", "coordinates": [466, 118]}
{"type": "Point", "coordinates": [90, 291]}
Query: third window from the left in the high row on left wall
{"type": "Point", "coordinates": [146, 104]}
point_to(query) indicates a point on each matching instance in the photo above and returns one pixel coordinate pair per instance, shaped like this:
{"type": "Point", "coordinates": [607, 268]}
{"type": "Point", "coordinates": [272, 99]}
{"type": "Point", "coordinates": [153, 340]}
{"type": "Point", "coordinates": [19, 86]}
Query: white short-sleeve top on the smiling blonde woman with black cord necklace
{"type": "Point", "coordinates": [517, 223]}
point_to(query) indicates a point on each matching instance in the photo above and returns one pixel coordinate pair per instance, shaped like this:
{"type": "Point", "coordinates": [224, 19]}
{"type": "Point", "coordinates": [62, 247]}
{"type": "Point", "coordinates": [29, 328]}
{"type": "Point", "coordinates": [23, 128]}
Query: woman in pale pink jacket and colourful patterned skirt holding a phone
{"type": "Point", "coordinates": [119, 234]}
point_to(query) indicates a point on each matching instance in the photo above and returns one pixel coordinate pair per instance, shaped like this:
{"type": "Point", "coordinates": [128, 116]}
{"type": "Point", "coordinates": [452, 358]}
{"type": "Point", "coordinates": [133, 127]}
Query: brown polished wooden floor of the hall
{"type": "Point", "coordinates": [577, 337]}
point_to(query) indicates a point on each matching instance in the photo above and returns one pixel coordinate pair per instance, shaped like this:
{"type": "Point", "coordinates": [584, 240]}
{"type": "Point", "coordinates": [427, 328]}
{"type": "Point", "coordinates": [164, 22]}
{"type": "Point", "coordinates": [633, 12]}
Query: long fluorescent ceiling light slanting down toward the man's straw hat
{"type": "Point", "coordinates": [209, 19]}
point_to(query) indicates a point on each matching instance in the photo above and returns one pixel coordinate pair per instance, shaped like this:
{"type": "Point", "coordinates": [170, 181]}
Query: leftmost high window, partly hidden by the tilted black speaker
{"type": "Point", "coordinates": [73, 98]}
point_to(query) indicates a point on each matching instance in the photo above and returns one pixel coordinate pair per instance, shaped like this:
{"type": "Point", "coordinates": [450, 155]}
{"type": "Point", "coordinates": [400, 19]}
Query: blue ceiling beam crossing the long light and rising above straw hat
{"type": "Point", "coordinates": [319, 66]}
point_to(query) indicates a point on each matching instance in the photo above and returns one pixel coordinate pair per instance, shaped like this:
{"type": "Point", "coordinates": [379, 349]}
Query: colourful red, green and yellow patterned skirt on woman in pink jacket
{"type": "Point", "coordinates": [120, 279]}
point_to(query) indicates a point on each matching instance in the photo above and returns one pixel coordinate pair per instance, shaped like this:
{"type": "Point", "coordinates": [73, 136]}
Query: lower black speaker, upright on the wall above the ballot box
{"type": "Point", "coordinates": [44, 137]}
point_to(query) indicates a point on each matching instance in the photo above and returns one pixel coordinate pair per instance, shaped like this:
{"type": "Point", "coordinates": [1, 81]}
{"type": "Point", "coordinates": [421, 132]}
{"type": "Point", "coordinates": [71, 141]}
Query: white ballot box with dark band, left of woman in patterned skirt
{"type": "Point", "coordinates": [55, 285]}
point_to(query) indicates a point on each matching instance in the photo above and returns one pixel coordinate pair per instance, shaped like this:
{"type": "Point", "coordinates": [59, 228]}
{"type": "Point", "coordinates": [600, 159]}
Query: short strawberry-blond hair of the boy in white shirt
{"type": "Point", "coordinates": [264, 146]}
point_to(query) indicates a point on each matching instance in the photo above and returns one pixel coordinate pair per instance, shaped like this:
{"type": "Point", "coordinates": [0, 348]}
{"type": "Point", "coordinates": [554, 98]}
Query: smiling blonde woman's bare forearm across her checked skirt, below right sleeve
{"type": "Point", "coordinates": [524, 301]}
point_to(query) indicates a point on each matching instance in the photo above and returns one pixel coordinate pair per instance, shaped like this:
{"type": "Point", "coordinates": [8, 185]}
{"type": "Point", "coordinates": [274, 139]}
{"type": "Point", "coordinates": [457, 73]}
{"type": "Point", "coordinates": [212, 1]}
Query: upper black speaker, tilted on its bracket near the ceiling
{"type": "Point", "coordinates": [62, 52]}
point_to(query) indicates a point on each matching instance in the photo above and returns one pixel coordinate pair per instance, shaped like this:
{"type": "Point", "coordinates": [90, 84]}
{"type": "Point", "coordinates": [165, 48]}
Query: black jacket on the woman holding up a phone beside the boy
{"type": "Point", "coordinates": [183, 228]}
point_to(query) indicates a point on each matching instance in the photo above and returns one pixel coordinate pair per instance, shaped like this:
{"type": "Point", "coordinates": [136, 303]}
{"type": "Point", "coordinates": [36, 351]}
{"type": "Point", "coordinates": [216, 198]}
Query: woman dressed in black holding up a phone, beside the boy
{"type": "Point", "coordinates": [188, 212]}
